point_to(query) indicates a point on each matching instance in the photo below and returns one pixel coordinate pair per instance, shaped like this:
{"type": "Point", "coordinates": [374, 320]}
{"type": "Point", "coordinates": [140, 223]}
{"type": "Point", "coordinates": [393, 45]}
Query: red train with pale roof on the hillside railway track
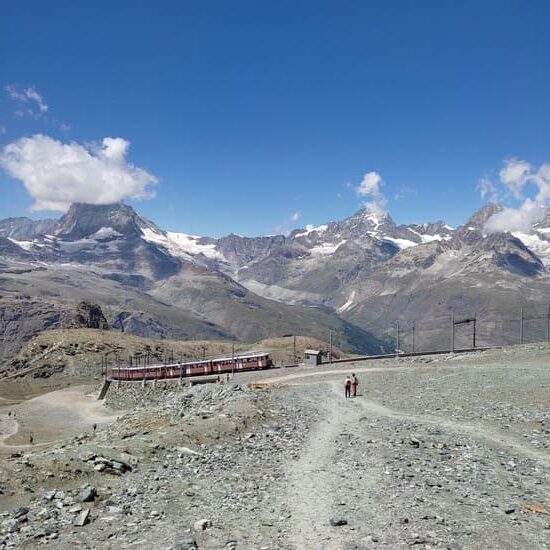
{"type": "Point", "coordinates": [239, 363]}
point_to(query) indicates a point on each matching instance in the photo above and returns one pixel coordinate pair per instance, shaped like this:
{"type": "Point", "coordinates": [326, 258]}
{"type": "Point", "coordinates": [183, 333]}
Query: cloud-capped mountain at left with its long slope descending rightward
{"type": "Point", "coordinates": [148, 284]}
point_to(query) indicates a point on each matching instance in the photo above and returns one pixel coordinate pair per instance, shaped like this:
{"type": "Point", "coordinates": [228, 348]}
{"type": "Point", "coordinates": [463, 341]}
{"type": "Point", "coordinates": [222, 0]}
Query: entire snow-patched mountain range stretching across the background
{"type": "Point", "coordinates": [354, 277]}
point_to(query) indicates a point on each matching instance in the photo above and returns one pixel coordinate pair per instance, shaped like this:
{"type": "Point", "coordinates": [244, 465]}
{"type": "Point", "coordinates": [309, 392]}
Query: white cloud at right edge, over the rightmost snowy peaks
{"type": "Point", "coordinates": [515, 176]}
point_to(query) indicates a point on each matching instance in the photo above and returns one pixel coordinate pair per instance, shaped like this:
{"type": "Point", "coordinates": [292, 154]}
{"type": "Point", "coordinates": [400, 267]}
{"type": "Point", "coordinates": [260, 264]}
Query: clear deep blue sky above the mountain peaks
{"type": "Point", "coordinates": [256, 117]}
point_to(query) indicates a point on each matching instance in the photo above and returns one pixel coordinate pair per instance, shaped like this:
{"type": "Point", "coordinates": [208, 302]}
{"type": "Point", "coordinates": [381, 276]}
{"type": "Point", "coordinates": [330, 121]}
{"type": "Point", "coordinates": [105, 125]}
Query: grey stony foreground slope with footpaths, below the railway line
{"type": "Point", "coordinates": [435, 452]}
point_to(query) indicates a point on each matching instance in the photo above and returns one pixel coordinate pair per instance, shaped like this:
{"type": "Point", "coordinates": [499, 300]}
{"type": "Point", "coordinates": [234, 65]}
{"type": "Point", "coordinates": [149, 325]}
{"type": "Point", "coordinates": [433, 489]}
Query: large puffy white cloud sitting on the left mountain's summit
{"type": "Point", "coordinates": [56, 174]}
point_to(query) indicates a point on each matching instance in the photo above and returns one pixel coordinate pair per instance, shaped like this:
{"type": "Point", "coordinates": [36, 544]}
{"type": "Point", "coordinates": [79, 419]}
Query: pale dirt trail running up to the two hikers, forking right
{"type": "Point", "coordinates": [321, 484]}
